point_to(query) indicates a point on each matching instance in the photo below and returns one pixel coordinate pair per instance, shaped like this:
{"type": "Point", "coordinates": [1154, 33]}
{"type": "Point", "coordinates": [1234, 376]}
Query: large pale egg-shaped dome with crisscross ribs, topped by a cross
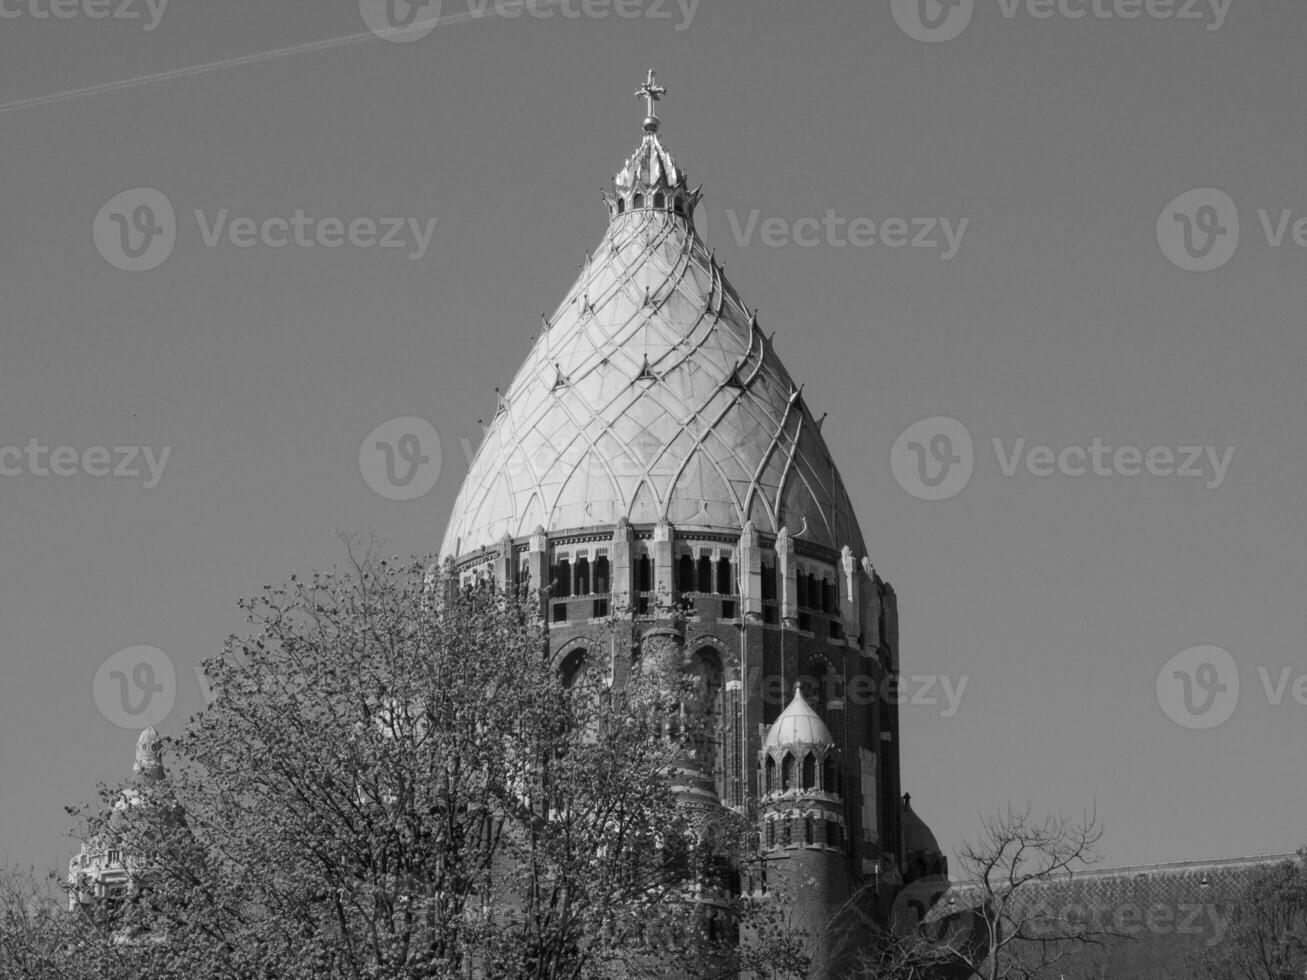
{"type": "Point", "coordinates": [653, 395]}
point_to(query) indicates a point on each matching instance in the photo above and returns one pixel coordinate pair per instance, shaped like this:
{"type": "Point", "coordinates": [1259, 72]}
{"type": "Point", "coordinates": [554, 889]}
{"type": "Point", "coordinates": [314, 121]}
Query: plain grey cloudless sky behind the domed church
{"type": "Point", "coordinates": [1059, 321]}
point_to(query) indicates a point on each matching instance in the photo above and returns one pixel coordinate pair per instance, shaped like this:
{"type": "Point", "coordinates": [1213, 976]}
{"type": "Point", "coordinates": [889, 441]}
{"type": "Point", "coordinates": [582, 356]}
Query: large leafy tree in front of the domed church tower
{"type": "Point", "coordinates": [393, 781]}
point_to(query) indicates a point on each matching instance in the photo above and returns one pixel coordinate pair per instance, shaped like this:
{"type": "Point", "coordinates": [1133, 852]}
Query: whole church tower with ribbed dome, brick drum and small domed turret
{"type": "Point", "coordinates": [658, 468]}
